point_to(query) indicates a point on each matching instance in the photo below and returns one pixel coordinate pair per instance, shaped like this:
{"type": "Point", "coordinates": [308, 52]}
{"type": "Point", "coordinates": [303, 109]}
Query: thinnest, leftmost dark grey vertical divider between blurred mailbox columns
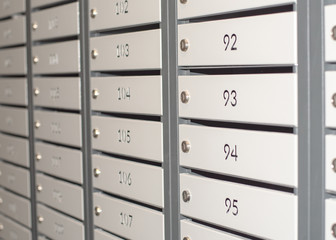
{"type": "Point", "coordinates": [31, 137]}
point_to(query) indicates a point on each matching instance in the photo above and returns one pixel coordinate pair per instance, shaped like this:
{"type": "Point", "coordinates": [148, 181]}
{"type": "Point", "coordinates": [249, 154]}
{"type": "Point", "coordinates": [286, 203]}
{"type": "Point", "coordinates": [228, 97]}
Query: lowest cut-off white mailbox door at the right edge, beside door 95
{"type": "Point", "coordinates": [330, 219]}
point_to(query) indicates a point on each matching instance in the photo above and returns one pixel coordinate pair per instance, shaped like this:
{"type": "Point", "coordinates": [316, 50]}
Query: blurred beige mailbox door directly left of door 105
{"type": "Point", "coordinates": [58, 127]}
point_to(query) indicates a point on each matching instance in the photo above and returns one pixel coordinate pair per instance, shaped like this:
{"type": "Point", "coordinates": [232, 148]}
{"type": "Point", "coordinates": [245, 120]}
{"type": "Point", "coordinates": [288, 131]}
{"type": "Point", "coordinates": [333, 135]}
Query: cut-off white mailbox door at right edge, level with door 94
{"type": "Point", "coordinates": [330, 171]}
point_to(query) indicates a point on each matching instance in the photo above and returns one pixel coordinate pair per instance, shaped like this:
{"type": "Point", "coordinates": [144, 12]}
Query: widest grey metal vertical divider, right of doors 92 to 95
{"type": "Point", "coordinates": [311, 120]}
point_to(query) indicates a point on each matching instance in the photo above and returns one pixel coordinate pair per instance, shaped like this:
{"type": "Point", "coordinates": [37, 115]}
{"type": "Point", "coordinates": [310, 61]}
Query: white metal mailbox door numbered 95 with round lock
{"type": "Point", "coordinates": [235, 206]}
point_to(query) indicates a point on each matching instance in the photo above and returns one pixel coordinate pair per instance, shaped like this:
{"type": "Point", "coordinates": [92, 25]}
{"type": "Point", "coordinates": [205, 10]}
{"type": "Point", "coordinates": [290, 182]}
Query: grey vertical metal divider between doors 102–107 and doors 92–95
{"type": "Point", "coordinates": [170, 119]}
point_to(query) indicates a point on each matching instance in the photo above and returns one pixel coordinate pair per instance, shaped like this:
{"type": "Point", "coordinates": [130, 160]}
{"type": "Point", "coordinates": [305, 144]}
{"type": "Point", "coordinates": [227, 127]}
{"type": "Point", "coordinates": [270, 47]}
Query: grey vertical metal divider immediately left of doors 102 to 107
{"type": "Point", "coordinates": [84, 37]}
